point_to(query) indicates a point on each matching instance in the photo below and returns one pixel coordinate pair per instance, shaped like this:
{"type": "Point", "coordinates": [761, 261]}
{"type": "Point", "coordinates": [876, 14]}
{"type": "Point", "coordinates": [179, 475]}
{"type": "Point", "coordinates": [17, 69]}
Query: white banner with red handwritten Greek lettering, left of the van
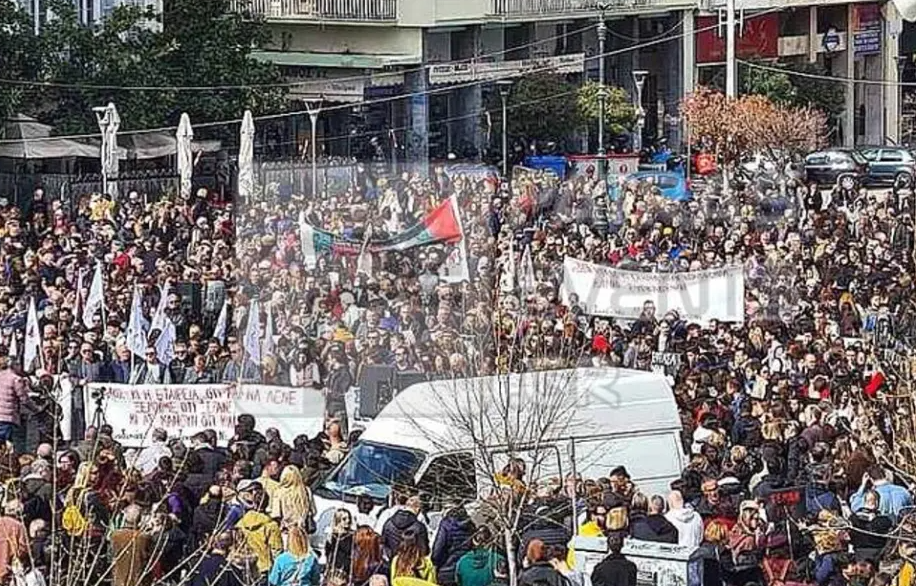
{"type": "Point", "coordinates": [134, 411]}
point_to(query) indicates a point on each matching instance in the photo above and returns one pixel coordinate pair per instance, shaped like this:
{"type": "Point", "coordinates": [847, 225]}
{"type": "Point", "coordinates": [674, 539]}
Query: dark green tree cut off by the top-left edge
{"type": "Point", "coordinates": [18, 58]}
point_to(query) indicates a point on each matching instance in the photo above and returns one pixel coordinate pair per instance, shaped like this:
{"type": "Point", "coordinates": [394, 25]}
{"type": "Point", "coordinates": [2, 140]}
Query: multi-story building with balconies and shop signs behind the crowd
{"type": "Point", "coordinates": [356, 51]}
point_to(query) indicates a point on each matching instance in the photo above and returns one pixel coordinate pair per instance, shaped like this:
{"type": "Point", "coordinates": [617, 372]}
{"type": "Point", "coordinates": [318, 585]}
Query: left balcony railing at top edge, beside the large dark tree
{"type": "Point", "coordinates": [345, 10]}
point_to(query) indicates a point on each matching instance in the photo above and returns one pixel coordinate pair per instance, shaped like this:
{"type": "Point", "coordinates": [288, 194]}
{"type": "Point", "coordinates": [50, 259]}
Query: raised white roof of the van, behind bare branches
{"type": "Point", "coordinates": [450, 415]}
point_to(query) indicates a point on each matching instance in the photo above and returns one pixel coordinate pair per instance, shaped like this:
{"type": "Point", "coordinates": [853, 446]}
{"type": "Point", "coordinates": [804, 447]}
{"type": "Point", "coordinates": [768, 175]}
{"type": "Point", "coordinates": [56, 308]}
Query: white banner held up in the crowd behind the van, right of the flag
{"type": "Point", "coordinates": [698, 296]}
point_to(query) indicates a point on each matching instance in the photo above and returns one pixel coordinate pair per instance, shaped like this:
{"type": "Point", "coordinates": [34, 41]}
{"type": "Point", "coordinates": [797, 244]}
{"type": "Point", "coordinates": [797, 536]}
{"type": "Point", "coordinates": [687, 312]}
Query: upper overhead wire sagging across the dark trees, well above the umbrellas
{"type": "Point", "coordinates": [289, 84]}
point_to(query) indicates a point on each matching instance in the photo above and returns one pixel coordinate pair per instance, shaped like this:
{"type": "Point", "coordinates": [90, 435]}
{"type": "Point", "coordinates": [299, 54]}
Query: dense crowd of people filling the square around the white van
{"type": "Point", "coordinates": [793, 422]}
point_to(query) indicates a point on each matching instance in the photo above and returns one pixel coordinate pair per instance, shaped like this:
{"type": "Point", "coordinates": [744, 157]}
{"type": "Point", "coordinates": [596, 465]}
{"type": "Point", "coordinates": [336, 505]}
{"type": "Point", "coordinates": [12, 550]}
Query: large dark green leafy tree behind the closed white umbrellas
{"type": "Point", "coordinates": [200, 43]}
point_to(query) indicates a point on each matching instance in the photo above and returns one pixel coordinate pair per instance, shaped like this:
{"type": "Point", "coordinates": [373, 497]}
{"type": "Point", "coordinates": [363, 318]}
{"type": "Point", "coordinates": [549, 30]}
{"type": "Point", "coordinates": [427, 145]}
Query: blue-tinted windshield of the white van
{"type": "Point", "coordinates": [371, 469]}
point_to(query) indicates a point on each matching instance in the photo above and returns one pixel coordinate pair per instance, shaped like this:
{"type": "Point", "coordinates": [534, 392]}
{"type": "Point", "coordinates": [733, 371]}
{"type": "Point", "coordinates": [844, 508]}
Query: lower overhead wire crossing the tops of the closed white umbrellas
{"type": "Point", "coordinates": [370, 102]}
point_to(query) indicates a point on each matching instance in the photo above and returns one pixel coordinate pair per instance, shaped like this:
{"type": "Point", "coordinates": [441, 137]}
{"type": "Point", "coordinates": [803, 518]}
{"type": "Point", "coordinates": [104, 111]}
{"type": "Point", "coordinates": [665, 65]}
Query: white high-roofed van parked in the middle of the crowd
{"type": "Point", "coordinates": [449, 437]}
